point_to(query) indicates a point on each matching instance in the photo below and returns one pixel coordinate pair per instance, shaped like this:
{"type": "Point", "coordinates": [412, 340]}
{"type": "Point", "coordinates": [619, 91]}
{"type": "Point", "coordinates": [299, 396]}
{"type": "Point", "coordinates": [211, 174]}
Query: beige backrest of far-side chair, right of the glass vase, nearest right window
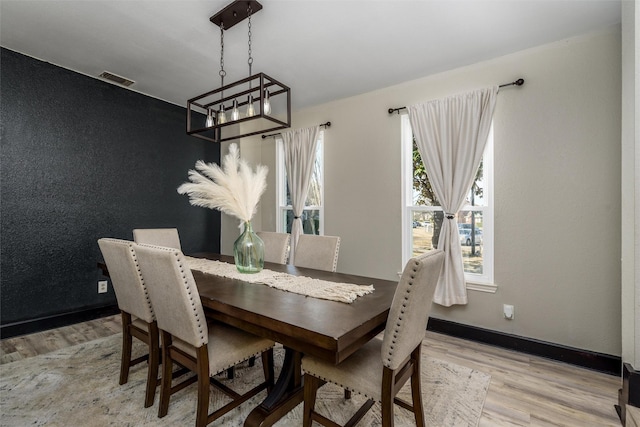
{"type": "Point", "coordinates": [318, 252]}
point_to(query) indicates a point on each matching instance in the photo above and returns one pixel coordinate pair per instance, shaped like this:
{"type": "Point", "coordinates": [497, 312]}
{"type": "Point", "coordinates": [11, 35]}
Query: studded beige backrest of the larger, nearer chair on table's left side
{"type": "Point", "coordinates": [173, 292]}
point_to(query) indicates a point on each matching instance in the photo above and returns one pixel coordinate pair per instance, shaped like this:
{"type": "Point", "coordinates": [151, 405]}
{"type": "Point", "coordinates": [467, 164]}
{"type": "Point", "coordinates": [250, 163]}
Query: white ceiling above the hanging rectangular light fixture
{"type": "Point", "coordinates": [323, 49]}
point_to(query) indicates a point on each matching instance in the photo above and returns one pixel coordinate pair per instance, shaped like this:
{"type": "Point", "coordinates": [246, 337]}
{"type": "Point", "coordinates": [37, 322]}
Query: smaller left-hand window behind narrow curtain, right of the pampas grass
{"type": "Point", "coordinates": [313, 214]}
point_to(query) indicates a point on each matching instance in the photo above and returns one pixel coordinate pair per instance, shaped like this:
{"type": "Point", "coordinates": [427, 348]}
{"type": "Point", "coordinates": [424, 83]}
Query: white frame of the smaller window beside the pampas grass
{"type": "Point", "coordinates": [281, 187]}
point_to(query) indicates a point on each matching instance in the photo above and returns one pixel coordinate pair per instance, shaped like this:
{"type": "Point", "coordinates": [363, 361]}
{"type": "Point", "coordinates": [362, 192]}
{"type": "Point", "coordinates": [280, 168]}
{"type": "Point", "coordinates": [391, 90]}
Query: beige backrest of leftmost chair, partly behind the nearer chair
{"type": "Point", "coordinates": [128, 283]}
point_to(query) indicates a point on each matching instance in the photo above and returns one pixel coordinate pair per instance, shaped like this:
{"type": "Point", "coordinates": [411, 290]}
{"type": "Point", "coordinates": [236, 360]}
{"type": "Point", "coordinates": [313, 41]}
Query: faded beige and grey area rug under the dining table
{"type": "Point", "coordinates": [78, 386]}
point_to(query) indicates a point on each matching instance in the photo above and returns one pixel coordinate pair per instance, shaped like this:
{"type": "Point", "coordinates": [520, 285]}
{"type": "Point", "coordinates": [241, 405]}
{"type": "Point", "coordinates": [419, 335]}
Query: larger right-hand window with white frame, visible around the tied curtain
{"type": "Point", "coordinates": [422, 215]}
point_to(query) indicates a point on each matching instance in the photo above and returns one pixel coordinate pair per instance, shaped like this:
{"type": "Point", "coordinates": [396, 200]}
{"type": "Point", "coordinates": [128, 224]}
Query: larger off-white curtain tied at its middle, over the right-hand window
{"type": "Point", "coordinates": [451, 134]}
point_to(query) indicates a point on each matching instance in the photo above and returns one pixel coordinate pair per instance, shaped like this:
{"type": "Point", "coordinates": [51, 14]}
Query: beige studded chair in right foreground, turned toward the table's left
{"type": "Point", "coordinates": [382, 366]}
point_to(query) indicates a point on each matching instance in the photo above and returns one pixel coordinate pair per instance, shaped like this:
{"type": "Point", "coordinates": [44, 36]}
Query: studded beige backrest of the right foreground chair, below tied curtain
{"type": "Point", "coordinates": [410, 308]}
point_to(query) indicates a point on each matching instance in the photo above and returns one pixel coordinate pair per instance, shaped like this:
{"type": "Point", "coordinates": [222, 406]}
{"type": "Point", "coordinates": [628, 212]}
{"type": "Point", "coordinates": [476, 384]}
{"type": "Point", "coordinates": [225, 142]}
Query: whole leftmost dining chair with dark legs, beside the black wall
{"type": "Point", "coordinates": [138, 319]}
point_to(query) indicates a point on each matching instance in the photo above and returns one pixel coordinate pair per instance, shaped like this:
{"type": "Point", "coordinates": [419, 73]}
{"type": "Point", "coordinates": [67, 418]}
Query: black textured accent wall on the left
{"type": "Point", "coordinates": [83, 159]}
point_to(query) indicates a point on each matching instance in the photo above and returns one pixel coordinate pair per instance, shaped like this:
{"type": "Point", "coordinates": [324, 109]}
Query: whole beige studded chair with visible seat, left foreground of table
{"type": "Point", "coordinates": [205, 349]}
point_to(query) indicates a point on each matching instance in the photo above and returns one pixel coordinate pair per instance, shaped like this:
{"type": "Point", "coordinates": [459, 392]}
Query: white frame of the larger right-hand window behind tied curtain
{"type": "Point", "coordinates": [480, 282]}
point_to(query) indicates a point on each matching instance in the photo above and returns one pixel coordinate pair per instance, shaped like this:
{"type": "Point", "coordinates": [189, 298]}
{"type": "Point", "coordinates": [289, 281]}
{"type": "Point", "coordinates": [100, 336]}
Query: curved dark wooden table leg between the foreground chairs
{"type": "Point", "coordinates": [286, 394]}
